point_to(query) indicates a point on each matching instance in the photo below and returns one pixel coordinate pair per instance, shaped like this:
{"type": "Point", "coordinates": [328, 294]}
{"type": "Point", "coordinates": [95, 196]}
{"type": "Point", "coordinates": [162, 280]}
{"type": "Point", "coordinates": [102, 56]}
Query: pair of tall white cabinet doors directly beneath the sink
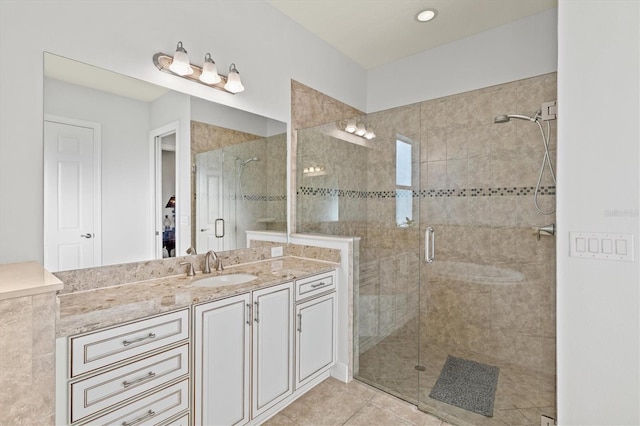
{"type": "Point", "coordinates": [243, 355]}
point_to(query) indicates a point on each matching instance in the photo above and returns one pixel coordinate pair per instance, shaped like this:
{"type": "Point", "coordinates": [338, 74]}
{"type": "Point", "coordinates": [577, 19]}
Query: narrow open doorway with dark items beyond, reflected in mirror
{"type": "Point", "coordinates": [166, 195]}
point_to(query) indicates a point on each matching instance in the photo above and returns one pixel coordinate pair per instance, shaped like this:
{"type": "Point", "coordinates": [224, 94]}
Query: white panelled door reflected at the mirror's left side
{"type": "Point", "coordinates": [72, 231]}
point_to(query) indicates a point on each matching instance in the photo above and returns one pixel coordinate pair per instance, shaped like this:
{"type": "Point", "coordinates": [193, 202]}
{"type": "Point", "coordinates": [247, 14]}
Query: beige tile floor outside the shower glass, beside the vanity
{"type": "Point", "coordinates": [335, 403]}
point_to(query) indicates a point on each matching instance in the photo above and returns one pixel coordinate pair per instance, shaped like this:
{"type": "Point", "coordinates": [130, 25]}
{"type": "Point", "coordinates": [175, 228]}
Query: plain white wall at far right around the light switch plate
{"type": "Point", "coordinates": [598, 306]}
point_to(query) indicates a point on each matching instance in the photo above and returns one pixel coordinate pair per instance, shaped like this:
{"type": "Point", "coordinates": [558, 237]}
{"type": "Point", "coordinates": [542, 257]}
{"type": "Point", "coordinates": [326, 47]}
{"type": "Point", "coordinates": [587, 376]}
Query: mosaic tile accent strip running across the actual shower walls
{"type": "Point", "coordinates": [428, 193]}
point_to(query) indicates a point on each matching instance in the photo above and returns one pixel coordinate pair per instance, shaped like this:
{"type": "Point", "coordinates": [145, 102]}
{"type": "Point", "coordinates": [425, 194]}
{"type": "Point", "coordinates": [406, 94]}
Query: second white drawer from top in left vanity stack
{"type": "Point", "coordinates": [112, 387]}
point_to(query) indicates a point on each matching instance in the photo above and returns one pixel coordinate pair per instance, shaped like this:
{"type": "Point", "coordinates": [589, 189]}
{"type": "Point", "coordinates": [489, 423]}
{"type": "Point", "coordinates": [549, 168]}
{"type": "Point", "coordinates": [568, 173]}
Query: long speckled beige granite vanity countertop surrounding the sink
{"type": "Point", "coordinates": [88, 310]}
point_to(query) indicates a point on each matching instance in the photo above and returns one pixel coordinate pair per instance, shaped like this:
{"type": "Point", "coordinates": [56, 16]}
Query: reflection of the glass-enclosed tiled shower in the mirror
{"type": "Point", "coordinates": [238, 189]}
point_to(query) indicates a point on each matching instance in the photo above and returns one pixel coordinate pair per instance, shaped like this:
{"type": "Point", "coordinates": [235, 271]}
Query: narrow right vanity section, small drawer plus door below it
{"type": "Point", "coordinates": [315, 327]}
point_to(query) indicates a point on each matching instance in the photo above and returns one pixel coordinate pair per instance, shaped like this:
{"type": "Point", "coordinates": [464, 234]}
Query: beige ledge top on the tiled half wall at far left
{"type": "Point", "coordinates": [26, 279]}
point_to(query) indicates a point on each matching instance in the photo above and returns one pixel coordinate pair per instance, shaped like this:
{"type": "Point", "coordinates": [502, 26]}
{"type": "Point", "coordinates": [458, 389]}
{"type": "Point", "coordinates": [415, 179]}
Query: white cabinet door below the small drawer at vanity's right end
{"type": "Point", "coordinates": [315, 343]}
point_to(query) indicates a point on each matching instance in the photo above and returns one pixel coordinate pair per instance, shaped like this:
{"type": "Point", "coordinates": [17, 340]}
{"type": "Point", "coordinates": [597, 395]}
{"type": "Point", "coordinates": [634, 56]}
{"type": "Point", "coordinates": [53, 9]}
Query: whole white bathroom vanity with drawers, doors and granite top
{"type": "Point", "coordinates": [168, 351]}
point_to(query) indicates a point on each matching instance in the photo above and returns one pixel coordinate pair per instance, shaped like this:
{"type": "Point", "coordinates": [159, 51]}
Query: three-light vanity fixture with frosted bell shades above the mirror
{"type": "Point", "coordinates": [179, 65]}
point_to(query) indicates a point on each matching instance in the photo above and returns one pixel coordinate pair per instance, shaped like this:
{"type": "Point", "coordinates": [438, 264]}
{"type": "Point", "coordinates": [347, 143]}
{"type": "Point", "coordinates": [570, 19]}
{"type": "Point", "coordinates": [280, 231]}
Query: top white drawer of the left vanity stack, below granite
{"type": "Point", "coordinates": [95, 350]}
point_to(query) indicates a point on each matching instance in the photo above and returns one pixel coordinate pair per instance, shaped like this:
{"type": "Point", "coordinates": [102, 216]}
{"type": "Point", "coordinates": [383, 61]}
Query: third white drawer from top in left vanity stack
{"type": "Point", "coordinates": [153, 409]}
